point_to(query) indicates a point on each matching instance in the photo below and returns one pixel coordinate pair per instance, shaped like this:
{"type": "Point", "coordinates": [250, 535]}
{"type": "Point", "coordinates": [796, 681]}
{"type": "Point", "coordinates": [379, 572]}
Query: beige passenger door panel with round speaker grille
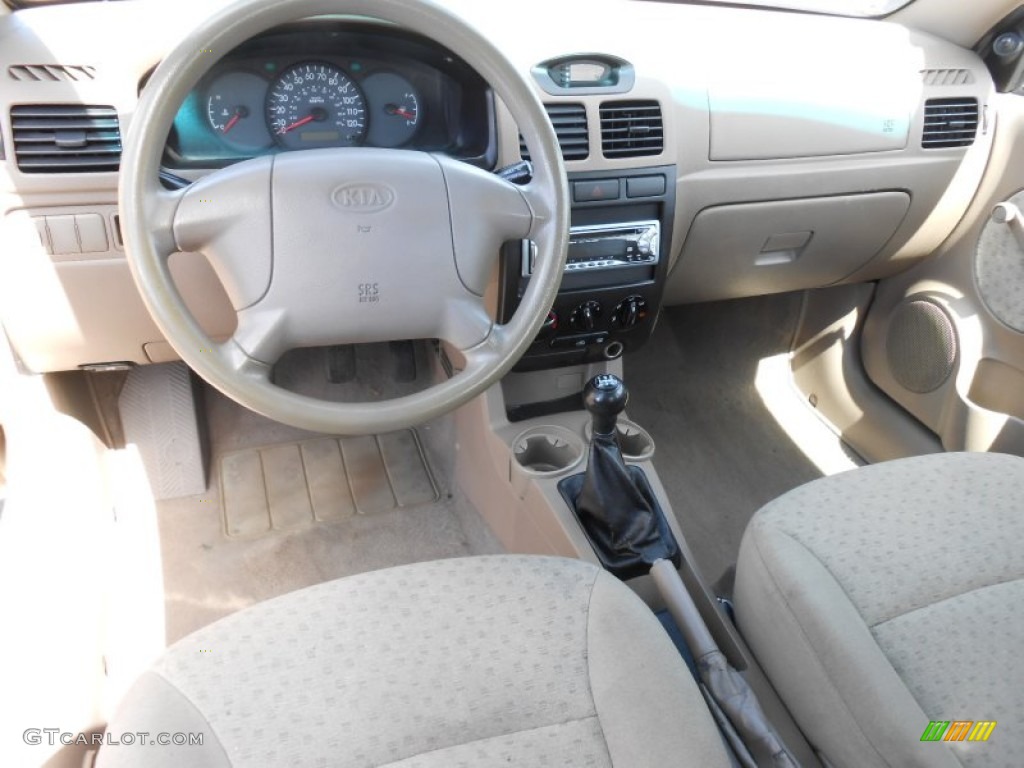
{"type": "Point", "coordinates": [946, 340]}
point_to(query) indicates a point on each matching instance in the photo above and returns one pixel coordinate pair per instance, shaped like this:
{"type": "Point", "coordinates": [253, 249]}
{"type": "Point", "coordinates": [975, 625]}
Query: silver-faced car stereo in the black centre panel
{"type": "Point", "coordinates": [606, 247]}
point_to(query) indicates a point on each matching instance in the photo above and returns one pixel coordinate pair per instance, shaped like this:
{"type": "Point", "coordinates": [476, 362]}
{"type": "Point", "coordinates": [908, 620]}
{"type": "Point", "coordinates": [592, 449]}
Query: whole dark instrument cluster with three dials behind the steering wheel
{"type": "Point", "coordinates": [320, 87]}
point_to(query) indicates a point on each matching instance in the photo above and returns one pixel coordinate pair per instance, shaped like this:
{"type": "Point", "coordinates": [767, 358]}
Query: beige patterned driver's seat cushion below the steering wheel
{"type": "Point", "coordinates": [476, 662]}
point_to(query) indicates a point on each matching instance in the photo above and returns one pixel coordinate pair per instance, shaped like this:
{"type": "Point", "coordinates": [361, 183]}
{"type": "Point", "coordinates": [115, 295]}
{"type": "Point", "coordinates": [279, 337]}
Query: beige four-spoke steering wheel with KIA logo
{"type": "Point", "coordinates": [342, 246]}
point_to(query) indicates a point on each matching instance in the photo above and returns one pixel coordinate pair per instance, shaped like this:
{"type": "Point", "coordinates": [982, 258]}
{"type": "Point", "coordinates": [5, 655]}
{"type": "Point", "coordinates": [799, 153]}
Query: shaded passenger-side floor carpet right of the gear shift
{"type": "Point", "coordinates": [719, 452]}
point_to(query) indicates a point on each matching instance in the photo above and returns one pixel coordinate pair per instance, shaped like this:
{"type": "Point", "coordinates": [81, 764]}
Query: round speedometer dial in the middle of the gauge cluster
{"type": "Point", "coordinates": [316, 105]}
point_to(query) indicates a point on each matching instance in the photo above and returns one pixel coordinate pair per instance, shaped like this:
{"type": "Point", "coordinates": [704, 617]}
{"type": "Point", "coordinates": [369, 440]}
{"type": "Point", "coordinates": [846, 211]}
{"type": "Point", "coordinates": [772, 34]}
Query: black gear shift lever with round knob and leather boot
{"type": "Point", "coordinates": [615, 503]}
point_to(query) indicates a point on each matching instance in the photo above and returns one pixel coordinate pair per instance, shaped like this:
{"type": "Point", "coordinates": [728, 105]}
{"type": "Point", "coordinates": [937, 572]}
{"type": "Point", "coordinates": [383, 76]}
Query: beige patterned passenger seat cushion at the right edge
{"type": "Point", "coordinates": [884, 599]}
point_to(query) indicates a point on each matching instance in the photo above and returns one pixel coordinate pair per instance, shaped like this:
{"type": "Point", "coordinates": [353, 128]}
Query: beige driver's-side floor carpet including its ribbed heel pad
{"type": "Point", "coordinates": [314, 509]}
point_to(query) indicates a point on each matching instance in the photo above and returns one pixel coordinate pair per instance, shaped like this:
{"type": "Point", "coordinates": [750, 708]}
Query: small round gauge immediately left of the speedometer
{"type": "Point", "coordinates": [235, 108]}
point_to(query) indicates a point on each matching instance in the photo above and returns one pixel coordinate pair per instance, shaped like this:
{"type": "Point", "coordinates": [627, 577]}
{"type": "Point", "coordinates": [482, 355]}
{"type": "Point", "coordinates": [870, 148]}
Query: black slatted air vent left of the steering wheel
{"type": "Point", "coordinates": [66, 139]}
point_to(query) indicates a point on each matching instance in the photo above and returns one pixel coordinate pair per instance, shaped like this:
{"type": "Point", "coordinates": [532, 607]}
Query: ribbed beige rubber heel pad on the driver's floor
{"type": "Point", "coordinates": [291, 486]}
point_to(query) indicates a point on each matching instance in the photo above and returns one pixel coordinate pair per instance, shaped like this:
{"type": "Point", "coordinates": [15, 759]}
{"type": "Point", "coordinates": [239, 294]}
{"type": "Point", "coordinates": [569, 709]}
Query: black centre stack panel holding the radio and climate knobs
{"type": "Point", "coordinates": [615, 275]}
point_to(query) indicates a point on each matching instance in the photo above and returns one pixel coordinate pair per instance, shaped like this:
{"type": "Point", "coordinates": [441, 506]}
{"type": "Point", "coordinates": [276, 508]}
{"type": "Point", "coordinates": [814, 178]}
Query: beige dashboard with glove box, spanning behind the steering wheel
{"type": "Point", "coordinates": [798, 142]}
